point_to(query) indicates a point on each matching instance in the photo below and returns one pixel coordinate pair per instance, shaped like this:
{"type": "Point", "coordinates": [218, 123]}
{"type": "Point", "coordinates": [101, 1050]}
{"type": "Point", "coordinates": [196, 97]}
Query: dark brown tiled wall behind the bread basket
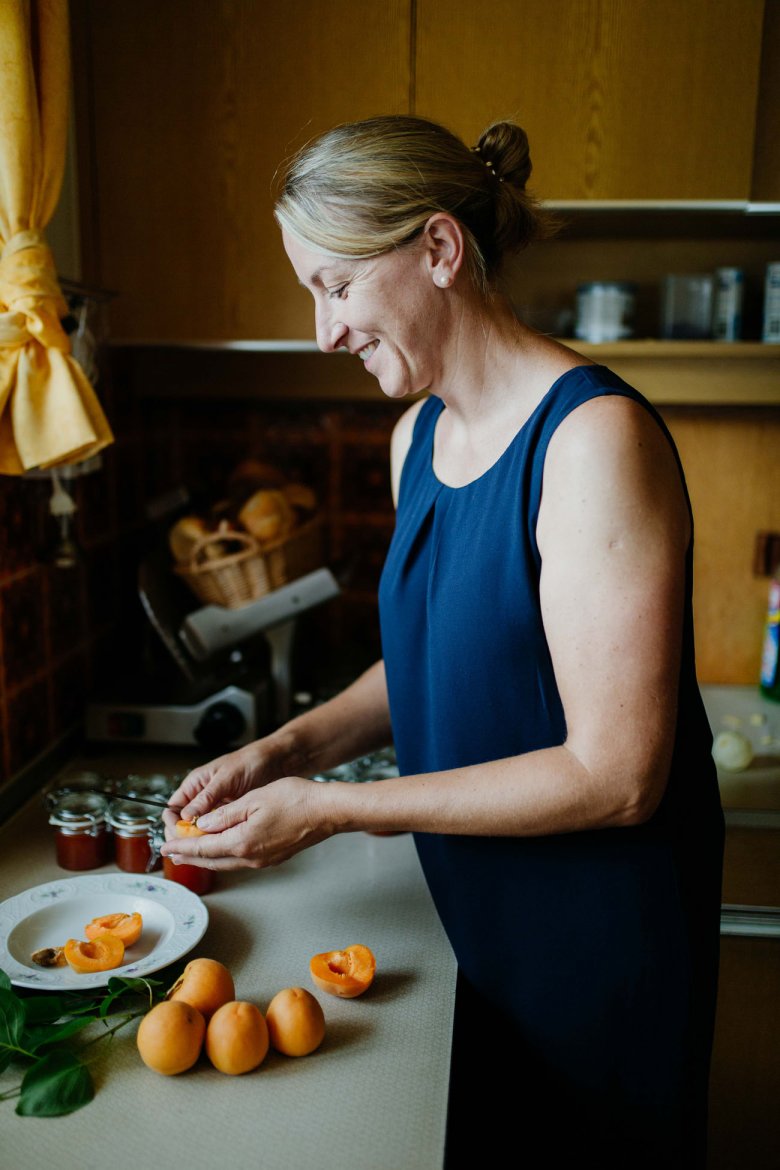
{"type": "Point", "coordinates": [66, 634]}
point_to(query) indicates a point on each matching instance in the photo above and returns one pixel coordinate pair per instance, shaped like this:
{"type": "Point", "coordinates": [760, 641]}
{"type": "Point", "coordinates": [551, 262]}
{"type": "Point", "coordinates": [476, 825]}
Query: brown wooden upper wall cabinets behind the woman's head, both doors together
{"type": "Point", "coordinates": [188, 108]}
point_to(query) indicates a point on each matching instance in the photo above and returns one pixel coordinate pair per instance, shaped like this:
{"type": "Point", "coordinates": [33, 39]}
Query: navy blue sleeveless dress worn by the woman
{"type": "Point", "coordinates": [596, 952]}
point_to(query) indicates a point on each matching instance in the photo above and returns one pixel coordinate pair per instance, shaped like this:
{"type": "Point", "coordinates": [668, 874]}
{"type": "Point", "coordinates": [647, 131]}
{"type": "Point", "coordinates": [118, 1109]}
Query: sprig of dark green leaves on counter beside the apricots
{"type": "Point", "coordinates": [37, 1033]}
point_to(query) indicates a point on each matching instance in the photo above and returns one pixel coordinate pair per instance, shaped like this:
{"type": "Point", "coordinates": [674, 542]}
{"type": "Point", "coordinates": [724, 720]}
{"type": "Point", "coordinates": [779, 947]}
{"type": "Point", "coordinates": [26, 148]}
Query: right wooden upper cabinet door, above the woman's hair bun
{"type": "Point", "coordinates": [620, 99]}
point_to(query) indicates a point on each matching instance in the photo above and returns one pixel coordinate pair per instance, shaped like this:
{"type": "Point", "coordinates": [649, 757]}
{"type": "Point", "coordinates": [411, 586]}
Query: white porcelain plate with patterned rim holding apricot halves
{"type": "Point", "coordinates": [175, 921]}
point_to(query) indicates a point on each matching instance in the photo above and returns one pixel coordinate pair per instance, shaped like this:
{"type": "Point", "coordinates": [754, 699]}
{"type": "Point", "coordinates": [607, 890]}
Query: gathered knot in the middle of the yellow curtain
{"type": "Point", "coordinates": [31, 300]}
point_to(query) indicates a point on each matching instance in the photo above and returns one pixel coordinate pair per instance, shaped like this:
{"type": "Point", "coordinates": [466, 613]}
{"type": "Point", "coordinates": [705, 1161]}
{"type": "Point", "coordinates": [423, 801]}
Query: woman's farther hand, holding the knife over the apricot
{"type": "Point", "coordinates": [220, 782]}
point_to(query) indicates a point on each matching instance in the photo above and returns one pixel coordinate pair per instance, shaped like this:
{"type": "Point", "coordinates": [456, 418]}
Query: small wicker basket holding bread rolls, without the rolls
{"type": "Point", "coordinates": [247, 574]}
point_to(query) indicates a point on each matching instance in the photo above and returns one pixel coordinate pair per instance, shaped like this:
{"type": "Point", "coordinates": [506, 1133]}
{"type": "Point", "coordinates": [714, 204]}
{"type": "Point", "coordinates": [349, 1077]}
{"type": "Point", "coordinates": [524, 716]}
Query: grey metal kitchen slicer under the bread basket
{"type": "Point", "coordinates": [227, 677]}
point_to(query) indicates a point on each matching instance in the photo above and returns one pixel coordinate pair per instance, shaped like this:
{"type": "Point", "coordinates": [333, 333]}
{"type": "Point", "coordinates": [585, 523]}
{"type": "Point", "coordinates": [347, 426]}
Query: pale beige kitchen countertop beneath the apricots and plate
{"type": "Point", "coordinates": [374, 1096]}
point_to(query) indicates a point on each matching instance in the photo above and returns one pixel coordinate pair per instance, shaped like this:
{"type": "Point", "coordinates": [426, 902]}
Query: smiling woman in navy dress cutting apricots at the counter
{"type": "Point", "coordinates": [539, 676]}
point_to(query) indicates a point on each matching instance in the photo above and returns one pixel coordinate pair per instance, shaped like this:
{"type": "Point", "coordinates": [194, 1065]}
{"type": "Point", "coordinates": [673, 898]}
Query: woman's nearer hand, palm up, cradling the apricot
{"type": "Point", "coordinates": [261, 829]}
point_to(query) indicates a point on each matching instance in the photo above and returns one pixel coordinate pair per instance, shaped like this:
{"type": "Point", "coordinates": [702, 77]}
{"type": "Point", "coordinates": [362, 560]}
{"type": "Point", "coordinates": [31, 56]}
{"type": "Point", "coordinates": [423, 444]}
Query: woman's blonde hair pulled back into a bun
{"type": "Point", "coordinates": [365, 188]}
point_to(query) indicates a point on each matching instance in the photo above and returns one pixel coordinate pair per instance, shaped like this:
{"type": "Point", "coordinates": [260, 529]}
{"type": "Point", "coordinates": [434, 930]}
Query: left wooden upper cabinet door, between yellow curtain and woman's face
{"type": "Point", "coordinates": [195, 106]}
